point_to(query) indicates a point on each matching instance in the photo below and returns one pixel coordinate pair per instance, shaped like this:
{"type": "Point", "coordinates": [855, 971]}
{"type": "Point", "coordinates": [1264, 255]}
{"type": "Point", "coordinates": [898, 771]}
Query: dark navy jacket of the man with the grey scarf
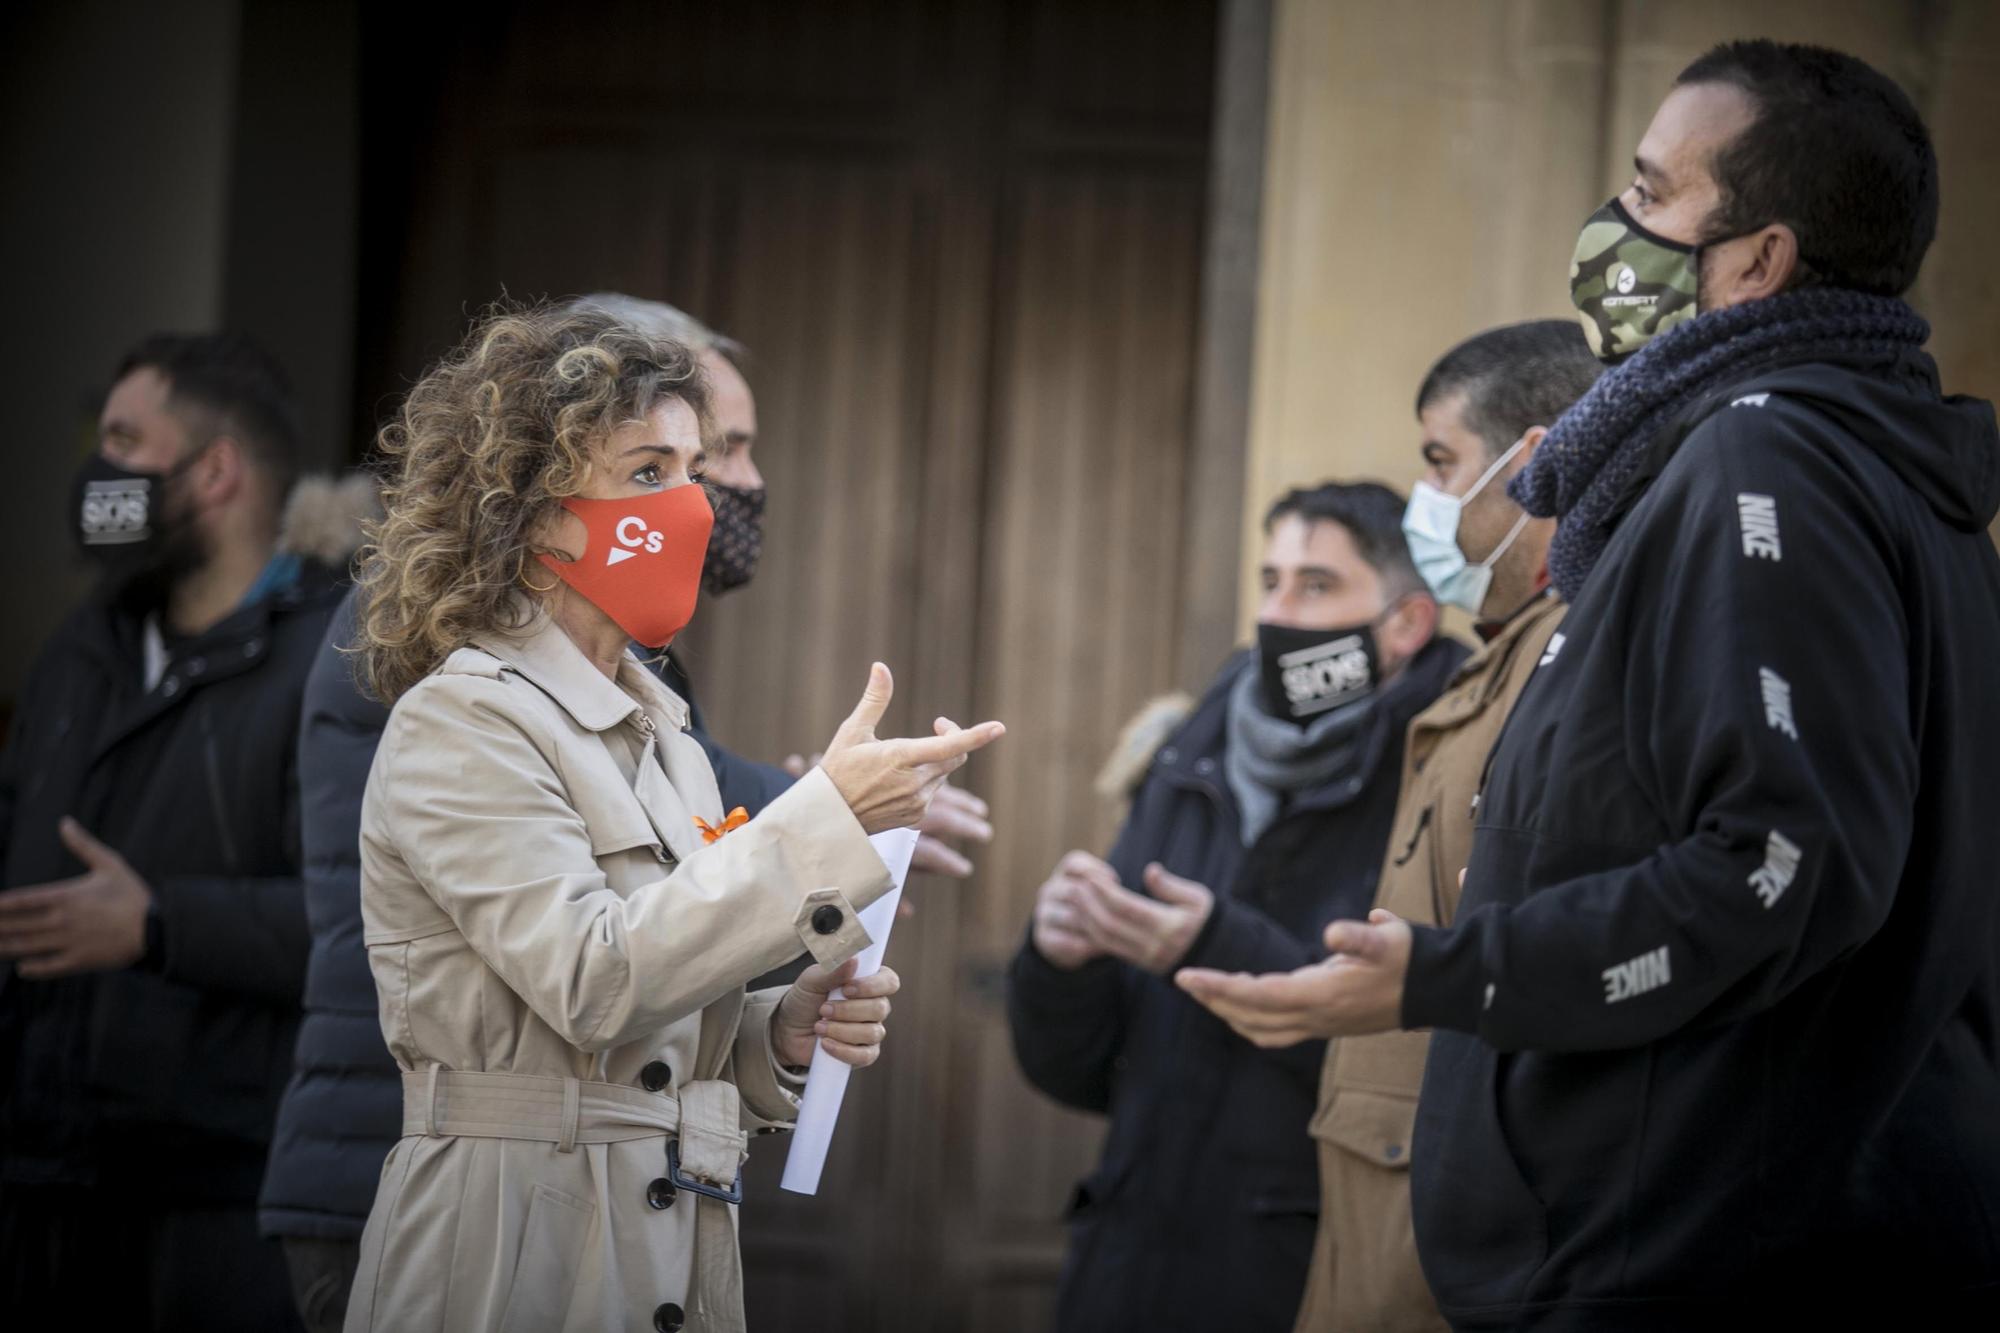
{"type": "Point", "coordinates": [1203, 1208]}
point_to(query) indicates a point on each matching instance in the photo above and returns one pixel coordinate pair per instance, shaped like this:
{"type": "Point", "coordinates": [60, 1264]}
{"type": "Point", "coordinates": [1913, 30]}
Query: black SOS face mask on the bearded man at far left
{"type": "Point", "coordinates": [127, 527]}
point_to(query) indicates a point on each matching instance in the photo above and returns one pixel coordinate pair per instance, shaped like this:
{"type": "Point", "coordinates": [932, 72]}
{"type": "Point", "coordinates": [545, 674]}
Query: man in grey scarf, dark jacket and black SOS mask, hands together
{"type": "Point", "coordinates": [1261, 818]}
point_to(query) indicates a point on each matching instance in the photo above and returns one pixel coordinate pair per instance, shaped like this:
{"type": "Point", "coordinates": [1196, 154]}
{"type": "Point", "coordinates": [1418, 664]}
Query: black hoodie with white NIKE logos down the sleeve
{"type": "Point", "coordinates": [1725, 986]}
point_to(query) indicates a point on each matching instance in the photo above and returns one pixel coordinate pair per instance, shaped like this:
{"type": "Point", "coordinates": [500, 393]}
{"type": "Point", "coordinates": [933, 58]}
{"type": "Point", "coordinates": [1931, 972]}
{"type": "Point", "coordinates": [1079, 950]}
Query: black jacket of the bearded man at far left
{"type": "Point", "coordinates": [171, 1070]}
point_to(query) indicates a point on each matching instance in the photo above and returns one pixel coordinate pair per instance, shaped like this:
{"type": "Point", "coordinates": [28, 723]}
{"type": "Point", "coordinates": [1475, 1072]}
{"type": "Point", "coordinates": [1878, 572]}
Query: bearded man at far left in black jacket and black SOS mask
{"type": "Point", "coordinates": [151, 922]}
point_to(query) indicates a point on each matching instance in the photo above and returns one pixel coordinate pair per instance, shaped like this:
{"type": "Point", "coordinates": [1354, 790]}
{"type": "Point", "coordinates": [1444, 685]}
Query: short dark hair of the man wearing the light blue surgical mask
{"type": "Point", "coordinates": [1515, 377]}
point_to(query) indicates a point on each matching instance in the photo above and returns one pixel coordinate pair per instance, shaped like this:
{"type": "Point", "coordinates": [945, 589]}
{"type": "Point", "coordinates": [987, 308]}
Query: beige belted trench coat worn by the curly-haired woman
{"type": "Point", "coordinates": [561, 966]}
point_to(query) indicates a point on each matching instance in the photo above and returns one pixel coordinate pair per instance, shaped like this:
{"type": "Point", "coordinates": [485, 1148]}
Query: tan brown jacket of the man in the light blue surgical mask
{"type": "Point", "coordinates": [1365, 1276]}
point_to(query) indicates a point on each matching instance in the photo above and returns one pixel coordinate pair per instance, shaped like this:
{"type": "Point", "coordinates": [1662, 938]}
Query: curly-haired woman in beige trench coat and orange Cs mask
{"type": "Point", "coordinates": [559, 928]}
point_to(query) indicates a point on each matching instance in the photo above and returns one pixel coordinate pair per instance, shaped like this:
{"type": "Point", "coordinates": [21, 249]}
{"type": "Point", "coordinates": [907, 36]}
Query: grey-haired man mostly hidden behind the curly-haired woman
{"type": "Point", "coordinates": [343, 1110]}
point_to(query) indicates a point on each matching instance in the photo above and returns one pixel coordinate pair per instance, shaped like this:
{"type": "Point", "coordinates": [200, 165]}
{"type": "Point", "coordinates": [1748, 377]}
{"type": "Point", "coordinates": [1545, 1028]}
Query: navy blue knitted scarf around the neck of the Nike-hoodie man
{"type": "Point", "coordinates": [1593, 453]}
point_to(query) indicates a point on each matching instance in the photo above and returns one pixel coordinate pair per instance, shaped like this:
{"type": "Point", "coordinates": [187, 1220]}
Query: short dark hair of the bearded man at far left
{"type": "Point", "coordinates": [225, 383]}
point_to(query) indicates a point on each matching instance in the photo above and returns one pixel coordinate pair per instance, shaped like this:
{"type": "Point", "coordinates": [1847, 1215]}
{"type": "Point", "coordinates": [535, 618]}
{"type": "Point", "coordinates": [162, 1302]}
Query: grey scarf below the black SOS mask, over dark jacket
{"type": "Point", "coordinates": [1269, 758]}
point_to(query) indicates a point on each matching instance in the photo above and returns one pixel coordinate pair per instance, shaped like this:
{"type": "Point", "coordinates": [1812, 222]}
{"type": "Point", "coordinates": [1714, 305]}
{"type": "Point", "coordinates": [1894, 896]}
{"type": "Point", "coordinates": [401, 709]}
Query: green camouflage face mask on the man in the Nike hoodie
{"type": "Point", "coordinates": [1629, 285]}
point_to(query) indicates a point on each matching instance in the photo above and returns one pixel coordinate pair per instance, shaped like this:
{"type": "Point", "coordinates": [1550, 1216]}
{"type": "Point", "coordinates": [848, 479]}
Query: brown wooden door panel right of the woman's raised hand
{"type": "Point", "coordinates": [1091, 409]}
